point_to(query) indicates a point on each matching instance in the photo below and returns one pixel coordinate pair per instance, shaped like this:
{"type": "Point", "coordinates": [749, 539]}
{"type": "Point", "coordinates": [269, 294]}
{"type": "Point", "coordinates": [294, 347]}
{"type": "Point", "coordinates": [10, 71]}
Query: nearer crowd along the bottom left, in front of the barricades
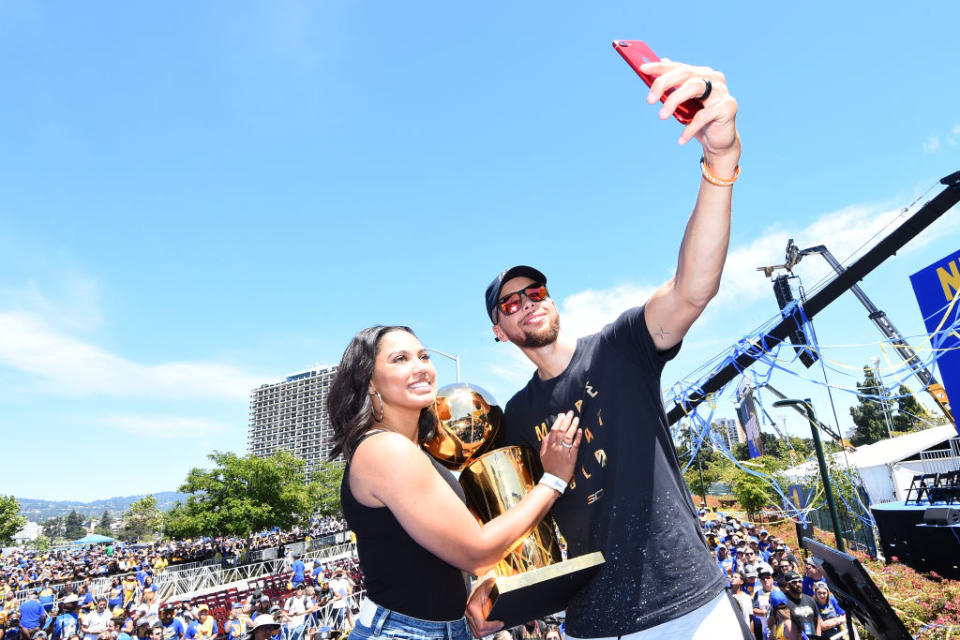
{"type": "Point", "coordinates": [320, 604]}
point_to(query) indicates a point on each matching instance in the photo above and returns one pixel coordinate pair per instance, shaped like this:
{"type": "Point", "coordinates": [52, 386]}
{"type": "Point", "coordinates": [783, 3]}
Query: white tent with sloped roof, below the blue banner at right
{"type": "Point", "coordinates": [887, 467]}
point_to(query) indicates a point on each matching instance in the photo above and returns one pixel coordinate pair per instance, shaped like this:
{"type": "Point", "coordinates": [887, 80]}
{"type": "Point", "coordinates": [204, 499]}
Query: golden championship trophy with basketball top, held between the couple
{"type": "Point", "coordinates": [532, 580]}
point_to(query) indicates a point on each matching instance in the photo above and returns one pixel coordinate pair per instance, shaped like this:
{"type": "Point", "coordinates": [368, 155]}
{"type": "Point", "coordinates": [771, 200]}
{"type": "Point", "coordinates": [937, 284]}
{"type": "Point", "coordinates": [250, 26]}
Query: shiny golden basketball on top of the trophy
{"type": "Point", "coordinates": [468, 421]}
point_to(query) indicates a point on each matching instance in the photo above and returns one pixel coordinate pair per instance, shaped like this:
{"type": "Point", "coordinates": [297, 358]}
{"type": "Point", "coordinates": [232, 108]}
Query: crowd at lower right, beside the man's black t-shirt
{"type": "Point", "coordinates": [765, 580]}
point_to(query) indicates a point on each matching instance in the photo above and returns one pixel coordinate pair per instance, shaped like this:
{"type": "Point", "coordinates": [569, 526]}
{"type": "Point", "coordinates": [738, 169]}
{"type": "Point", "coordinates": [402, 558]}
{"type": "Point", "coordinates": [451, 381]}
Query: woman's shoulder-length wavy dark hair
{"type": "Point", "coordinates": [348, 401]}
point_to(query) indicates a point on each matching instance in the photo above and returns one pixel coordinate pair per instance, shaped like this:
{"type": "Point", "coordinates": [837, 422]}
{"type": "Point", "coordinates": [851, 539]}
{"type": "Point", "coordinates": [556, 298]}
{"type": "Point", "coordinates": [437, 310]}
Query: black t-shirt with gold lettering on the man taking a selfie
{"type": "Point", "coordinates": [628, 498]}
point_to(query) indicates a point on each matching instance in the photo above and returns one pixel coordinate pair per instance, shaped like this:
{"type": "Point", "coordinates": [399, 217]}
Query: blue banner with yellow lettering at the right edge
{"type": "Point", "coordinates": [937, 288]}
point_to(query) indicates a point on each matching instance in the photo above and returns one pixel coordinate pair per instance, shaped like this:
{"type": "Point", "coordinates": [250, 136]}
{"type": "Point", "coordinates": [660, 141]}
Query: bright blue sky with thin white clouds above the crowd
{"type": "Point", "coordinates": [199, 198]}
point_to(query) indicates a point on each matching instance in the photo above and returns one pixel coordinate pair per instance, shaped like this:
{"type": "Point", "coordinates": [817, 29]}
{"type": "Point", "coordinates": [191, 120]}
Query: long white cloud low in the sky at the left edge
{"type": "Point", "coordinates": [62, 364]}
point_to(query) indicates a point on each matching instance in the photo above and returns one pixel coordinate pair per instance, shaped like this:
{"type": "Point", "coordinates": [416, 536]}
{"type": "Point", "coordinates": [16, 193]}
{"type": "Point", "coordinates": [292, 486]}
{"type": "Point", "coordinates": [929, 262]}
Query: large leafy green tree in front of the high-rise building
{"type": "Point", "coordinates": [245, 494]}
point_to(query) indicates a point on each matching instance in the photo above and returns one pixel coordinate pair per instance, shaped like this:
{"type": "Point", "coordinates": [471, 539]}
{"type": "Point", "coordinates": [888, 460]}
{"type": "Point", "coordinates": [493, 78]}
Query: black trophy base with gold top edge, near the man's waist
{"type": "Point", "coordinates": [540, 592]}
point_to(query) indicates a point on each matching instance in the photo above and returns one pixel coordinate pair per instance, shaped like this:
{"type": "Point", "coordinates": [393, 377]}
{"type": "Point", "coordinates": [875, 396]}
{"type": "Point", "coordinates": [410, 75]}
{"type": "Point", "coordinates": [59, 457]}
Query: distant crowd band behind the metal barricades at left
{"type": "Point", "coordinates": [23, 569]}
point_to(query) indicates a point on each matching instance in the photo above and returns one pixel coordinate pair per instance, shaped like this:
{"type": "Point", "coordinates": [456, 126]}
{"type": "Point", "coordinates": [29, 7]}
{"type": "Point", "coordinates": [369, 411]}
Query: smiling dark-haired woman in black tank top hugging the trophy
{"type": "Point", "coordinates": [415, 536]}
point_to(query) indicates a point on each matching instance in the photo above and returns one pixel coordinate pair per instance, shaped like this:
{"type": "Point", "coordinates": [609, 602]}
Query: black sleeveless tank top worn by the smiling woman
{"type": "Point", "coordinates": [398, 573]}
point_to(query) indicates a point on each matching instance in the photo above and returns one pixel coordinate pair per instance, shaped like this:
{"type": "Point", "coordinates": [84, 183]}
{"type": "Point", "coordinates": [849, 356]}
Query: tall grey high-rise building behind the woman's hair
{"type": "Point", "coordinates": [292, 415]}
